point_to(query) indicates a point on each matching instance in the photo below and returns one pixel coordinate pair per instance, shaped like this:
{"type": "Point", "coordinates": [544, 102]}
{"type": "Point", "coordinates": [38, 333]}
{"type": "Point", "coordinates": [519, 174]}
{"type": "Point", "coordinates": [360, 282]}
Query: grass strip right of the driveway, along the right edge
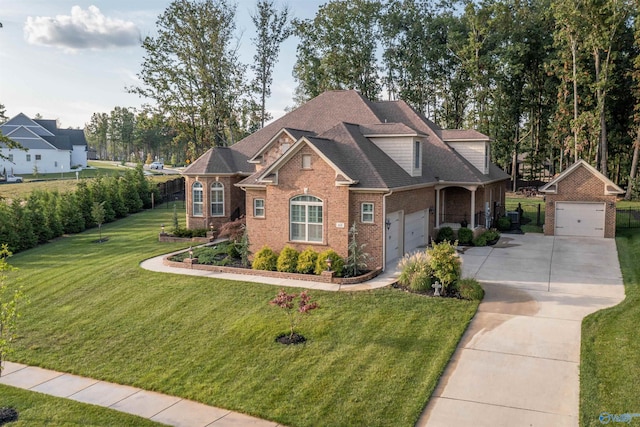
{"type": "Point", "coordinates": [610, 354]}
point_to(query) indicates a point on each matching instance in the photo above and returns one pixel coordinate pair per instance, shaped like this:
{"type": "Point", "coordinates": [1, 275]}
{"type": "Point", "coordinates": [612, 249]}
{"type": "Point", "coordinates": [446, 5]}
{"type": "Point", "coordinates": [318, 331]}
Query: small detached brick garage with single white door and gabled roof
{"type": "Point", "coordinates": [581, 202]}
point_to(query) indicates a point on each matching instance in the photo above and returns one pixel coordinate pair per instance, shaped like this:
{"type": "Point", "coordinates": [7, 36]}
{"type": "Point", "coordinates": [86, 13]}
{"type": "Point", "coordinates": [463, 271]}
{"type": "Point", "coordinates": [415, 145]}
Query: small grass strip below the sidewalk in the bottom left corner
{"type": "Point", "coordinates": [36, 409]}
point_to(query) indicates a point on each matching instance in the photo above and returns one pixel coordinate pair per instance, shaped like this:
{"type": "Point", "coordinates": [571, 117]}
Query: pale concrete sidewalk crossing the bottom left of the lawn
{"type": "Point", "coordinates": [169, 410]}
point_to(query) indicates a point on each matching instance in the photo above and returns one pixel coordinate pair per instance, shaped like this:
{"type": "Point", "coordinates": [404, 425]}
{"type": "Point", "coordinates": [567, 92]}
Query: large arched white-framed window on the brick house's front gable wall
{"type": "Point", "coordinates": [306, 219]}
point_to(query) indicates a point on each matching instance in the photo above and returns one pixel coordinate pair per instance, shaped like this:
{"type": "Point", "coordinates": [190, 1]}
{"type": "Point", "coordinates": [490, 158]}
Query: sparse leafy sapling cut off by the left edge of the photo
{"type": "Point", "coordinates": [9, 307]}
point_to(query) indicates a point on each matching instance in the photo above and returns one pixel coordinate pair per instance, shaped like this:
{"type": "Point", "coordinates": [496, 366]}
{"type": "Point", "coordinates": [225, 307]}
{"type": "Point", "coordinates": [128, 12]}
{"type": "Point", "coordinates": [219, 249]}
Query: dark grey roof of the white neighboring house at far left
{"type": "Point", "coordinates": [41, 134]}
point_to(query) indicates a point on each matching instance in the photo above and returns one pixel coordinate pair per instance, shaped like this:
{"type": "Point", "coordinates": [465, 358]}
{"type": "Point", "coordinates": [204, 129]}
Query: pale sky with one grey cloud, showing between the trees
{"type": "Point", "coordinates": [66, 60]}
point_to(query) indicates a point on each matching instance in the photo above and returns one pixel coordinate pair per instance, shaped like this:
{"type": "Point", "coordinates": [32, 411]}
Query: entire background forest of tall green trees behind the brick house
{"type": "Point", "coordinates": [549, 81]}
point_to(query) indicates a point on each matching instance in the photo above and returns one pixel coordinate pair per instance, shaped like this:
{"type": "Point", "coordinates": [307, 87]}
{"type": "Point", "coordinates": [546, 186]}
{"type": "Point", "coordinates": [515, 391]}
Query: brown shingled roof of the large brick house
{"type": "Point", "coordinates": [338, 125]}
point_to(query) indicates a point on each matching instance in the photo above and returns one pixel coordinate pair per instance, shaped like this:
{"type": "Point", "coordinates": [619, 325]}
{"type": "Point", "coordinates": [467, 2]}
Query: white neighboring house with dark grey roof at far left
{"type": "Point", "coordinates": [49, 149]}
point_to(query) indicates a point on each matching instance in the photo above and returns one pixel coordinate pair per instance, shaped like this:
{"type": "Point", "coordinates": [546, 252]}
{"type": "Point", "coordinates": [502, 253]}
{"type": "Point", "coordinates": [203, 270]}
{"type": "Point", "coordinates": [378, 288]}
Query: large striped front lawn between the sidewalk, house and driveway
{"type": "Point", "coordinates": [372, 358]}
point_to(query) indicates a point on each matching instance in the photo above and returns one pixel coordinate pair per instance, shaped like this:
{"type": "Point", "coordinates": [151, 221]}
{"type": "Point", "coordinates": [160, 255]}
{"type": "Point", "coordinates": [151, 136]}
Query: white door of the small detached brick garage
{"type": "Point", "coordinates": [580, 219]}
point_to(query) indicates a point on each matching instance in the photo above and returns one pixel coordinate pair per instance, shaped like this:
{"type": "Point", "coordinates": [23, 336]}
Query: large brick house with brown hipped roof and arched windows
{"type": "Point", "coordinates": [341, 159]}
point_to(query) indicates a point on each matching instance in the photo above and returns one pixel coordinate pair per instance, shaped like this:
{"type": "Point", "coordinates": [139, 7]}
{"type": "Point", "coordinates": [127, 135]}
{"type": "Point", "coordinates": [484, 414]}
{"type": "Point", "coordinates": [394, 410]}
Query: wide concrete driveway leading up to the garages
{"type": "Point", "coordinates": [518, 363]}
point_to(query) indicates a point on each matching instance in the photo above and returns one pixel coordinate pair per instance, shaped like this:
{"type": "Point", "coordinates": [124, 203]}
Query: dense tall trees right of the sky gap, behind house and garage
{"type": "Point", "coordinates": [549, 80]}
